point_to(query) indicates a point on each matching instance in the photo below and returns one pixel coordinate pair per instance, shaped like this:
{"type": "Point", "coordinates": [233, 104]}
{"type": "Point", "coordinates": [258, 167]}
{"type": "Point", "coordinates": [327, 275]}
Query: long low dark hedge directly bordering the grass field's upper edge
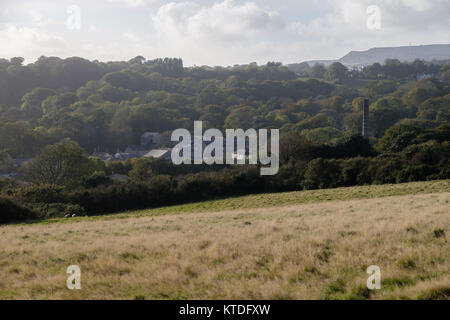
{"type": "Point", "coordinates": [48, 201]}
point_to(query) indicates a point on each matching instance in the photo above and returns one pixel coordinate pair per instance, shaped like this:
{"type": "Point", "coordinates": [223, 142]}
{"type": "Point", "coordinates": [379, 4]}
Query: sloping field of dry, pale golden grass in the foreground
{"type": "Point", "coordinates": [298, 245]}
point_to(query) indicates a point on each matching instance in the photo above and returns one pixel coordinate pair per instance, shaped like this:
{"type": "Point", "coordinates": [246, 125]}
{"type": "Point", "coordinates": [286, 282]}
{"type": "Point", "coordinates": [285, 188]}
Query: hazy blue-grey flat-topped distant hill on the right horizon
{"type": "Point", "coordinates": [436, 52]}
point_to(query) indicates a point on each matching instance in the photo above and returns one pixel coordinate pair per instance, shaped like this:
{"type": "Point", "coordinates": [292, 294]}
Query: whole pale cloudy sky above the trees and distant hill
{"type": "Point", "coordinates": [221, 32]}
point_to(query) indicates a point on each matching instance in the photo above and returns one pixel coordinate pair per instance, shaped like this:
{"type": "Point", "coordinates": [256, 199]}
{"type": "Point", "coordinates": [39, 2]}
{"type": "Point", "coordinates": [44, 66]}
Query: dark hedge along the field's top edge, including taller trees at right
{"type": "Point", "coordinates": [349, 163]}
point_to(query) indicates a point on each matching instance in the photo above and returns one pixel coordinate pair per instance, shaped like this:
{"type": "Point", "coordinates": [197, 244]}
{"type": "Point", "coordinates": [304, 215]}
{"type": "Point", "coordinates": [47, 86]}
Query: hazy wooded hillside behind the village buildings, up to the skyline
{"type": "Point", "coordinates": [108, 106]}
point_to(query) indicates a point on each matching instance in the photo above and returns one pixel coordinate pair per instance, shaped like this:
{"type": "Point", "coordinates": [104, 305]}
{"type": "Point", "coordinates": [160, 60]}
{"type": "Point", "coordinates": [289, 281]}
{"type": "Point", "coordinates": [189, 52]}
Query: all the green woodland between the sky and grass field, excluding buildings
{"type": "Point", "coordinates": [108, 106]}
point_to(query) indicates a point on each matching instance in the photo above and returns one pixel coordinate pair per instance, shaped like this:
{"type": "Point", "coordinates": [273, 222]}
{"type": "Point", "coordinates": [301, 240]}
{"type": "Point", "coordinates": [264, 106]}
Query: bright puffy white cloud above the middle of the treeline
{"type": "Point", "coordinates": [225, 32]}
